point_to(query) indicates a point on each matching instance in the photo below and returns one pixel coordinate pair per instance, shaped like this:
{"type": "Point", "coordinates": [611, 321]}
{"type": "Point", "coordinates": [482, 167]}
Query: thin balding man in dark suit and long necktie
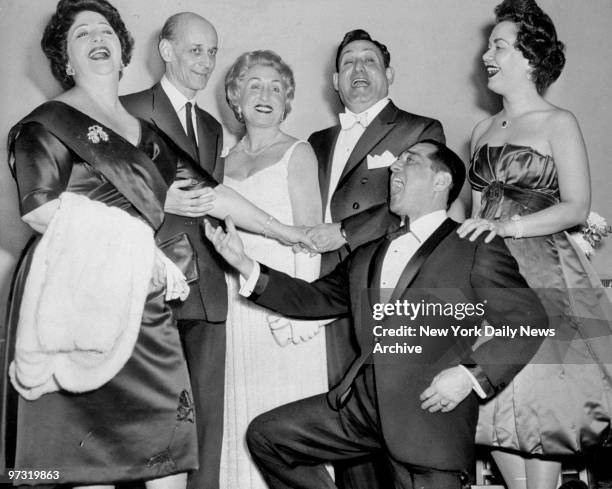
{"type": "Point", "coordinates": [188, 47]}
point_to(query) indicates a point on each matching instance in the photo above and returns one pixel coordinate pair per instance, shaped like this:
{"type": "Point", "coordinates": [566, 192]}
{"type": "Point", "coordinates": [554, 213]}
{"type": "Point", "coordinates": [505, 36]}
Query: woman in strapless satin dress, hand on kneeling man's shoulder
{"type": "Point", "coordinates": [530, 179]}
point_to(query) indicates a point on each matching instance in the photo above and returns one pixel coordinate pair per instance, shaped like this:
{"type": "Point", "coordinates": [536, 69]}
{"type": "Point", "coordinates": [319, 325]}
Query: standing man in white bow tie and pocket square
{"type": "Point", "coordinates": [354, 158]}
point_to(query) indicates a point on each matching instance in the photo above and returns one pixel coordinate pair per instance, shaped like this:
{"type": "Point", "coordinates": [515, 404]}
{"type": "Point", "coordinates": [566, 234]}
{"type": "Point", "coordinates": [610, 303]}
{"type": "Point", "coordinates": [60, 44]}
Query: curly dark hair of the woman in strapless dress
{"type": "Point", "coordinates": [536, 38]}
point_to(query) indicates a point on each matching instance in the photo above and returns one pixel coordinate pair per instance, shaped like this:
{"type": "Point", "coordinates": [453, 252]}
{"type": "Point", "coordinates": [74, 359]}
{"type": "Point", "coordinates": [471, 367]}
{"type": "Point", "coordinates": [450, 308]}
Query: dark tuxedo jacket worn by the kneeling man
{"type": "Point", "coordinates": [456, 271]}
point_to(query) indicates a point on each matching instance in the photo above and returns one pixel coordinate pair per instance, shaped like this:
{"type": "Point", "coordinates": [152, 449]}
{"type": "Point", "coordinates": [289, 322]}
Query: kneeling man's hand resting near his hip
{"type": "Point", "coordinates": [447, 390]}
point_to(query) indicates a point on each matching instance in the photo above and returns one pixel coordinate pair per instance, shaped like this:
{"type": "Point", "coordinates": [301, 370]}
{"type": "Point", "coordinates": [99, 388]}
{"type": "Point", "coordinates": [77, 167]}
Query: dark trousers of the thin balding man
{"type": "Point", "coordinates": [204, 347]}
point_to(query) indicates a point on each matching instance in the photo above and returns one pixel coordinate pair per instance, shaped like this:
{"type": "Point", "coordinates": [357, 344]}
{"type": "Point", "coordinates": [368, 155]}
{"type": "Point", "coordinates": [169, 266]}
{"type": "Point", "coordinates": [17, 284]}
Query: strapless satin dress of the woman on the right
{"type": "Point", "coordinates": [562, 401]}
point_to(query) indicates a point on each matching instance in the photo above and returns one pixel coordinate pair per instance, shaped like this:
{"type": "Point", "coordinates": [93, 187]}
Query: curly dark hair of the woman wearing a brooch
{"type": "Point", "coordinates": [54, 43]}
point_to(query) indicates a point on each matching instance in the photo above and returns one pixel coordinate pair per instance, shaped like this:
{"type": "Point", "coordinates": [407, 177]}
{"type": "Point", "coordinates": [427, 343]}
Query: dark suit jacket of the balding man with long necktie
{"type": "Point", "coordinates": [207, 299]}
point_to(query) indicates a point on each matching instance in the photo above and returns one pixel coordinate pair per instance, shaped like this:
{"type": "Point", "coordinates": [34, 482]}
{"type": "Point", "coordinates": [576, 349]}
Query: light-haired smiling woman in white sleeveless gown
{"type": "Point", "coordinates": [270, 360]}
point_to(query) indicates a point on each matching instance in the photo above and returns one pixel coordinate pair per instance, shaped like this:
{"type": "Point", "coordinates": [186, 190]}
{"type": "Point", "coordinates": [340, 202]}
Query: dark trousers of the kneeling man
{"type": "Point", "coordinates": [291, 443]}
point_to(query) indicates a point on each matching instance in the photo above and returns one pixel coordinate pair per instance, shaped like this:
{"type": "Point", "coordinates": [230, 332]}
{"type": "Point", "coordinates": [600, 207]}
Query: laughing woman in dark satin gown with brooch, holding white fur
{"type": "Point", "coordinates": [140, 424]}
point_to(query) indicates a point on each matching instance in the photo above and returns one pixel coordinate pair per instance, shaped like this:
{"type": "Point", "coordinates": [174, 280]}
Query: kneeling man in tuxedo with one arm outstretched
{"type": "Point", "coordinates": [420, 410]}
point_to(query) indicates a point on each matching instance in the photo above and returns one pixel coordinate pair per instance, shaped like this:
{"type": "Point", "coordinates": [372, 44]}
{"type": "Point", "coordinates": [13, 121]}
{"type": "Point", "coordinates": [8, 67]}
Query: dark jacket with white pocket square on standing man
{"type": "Point", "coordinates": [360, 201]}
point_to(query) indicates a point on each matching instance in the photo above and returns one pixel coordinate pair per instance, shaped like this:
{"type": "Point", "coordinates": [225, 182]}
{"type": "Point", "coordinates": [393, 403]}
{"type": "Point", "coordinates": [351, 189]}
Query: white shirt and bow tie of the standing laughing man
{"type": "Point", "coordinates": [347, 140]}
